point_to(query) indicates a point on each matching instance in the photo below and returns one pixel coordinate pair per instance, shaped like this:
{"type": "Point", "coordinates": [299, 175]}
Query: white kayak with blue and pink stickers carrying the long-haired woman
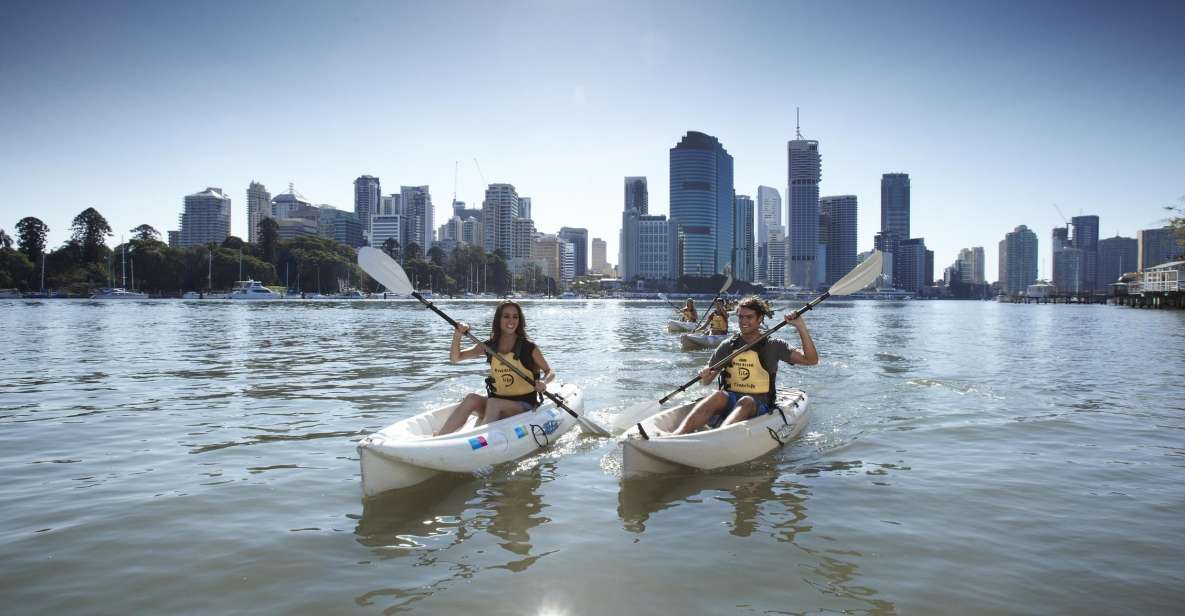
{"type": "Point", "coordinates": [406, 453]}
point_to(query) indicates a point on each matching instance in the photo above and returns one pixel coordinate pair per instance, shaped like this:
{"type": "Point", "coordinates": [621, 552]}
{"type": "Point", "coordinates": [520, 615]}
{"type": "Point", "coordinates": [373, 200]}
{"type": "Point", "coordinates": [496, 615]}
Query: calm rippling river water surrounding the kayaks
{"type": "Point", "coordinates": [962, 458]}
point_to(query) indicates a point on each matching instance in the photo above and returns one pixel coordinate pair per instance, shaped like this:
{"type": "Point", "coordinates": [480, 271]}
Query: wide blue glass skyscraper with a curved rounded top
{"type": "Point", "coordinates": [702, 203]}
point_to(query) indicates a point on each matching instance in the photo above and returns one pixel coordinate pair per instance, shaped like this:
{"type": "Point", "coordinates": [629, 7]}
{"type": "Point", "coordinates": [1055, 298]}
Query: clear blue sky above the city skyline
{"type": "Point", "coordinates": [996, 110]}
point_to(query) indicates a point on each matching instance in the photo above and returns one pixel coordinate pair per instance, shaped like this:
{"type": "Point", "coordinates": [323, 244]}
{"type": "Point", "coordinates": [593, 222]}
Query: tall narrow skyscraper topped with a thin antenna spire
{"type": "Point", "coordinates": [804, 172]}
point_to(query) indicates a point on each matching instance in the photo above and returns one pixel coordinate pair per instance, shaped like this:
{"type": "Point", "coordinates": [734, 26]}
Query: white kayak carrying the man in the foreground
{"type": "Point", "coordinates": [712, 448]}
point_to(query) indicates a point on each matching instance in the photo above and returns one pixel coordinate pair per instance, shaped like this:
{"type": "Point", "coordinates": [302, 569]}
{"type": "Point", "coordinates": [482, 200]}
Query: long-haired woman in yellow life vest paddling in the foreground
{"type": "Point", "coordinates": [507, 393]}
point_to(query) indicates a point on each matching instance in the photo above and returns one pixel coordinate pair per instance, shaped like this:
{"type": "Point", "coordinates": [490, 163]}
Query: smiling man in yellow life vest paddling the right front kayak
{"type": "Point", "coordinates": [748, 383]}
